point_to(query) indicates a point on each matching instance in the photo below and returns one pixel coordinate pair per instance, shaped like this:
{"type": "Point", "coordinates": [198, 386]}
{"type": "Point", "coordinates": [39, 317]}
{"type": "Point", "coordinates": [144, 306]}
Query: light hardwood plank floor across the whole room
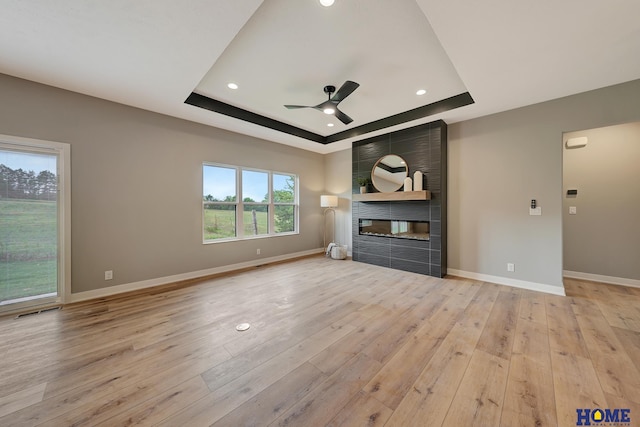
{"type": "Point", "coordinates": [331, 343]}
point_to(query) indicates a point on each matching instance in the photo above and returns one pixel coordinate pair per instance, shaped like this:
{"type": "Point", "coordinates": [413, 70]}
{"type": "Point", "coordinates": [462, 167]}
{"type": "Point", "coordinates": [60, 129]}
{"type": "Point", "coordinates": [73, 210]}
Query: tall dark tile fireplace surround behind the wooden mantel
{"type": "Point", "coordinates": [424, 148]}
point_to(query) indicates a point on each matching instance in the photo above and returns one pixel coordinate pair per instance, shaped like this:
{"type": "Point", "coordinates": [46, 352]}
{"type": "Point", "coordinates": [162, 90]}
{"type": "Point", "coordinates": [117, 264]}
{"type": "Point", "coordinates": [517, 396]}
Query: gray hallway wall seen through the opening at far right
{"type": "Point", "coordinates": [603, 238]}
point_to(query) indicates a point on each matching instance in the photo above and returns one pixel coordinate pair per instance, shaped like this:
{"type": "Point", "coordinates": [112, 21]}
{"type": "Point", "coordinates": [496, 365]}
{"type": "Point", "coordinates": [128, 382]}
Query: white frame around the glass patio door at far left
{"type": "Point", "coordinates": [63, 151]}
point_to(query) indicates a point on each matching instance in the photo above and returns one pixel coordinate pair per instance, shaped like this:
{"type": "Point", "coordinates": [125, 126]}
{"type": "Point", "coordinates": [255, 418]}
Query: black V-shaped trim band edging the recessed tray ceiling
{"type": "Point", "coordinates": [220, 107]}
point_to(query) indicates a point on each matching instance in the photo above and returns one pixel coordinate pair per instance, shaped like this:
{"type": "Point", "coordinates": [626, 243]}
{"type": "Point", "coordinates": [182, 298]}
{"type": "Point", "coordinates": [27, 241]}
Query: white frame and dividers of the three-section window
{"type": "Point", "coordinates": [240, 204]}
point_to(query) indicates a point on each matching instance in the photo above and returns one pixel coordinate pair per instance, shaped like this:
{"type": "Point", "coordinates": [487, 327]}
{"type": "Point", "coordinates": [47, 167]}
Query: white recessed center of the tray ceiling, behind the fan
{"type": "Point", "coordinates": [386, 46]}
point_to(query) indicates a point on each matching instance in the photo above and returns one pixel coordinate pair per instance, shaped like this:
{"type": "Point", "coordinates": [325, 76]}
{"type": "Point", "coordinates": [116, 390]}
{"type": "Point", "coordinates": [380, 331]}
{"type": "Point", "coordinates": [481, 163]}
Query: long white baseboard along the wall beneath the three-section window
{"type": "Point", "coordinates": [144, 284]}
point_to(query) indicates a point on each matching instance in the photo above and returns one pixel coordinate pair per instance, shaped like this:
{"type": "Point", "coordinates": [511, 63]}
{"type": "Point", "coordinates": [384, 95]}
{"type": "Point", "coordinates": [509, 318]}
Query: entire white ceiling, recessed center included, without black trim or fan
{"type": "Point", "coordinates": [152, 54]}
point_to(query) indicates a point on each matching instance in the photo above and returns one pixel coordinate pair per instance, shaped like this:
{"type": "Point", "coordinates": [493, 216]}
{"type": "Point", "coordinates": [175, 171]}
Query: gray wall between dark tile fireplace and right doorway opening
{"type": "Point", "coordinates": [498, 163]}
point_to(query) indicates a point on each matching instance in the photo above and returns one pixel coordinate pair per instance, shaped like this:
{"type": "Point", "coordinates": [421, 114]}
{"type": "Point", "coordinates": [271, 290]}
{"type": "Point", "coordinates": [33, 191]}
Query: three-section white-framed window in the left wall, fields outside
{"type": "Point", "coordinates": [240, 203]}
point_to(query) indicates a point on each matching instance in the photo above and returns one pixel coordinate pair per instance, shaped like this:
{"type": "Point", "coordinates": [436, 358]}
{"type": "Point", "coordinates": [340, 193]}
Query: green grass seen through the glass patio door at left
{"type": "Point", "coordinates": [28, 248]}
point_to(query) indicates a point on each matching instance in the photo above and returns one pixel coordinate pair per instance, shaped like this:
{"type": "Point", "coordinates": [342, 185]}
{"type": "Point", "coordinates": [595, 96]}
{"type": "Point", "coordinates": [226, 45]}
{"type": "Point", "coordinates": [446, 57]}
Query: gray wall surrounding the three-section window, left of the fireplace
{"type": "Point", "coordinates": [136, 184]}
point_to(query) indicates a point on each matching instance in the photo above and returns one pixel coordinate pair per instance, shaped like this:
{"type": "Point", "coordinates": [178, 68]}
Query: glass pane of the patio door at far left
{"type": "Point", "coordinates": [29, 226]}
